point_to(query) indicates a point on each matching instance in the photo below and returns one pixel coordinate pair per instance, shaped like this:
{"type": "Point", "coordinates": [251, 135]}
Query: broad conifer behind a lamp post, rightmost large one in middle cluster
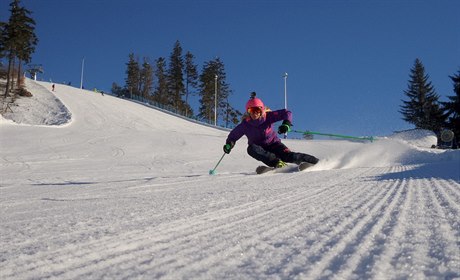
{"type": "Point", "coordinates": [213, 72]}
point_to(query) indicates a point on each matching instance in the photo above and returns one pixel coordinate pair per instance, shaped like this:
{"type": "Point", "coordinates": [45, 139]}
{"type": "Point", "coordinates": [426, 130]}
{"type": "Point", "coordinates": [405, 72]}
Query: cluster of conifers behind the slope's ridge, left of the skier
{"type": "Point", "coordinates": [171, 82]}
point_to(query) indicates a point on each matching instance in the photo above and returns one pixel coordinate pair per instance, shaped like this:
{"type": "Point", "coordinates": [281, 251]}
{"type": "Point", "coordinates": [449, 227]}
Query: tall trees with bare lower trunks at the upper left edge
{"type": "Point", "coordinates": [17, 43]}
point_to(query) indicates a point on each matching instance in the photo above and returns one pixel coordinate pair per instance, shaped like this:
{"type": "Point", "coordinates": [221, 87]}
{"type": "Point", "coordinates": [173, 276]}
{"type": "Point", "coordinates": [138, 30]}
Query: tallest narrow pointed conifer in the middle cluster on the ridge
{"type": "Point", "coordinates": [176, 79]}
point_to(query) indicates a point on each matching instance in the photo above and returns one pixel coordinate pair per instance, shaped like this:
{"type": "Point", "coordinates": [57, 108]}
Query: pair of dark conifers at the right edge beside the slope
{"type": "Point", "coordinates": [423, 108]}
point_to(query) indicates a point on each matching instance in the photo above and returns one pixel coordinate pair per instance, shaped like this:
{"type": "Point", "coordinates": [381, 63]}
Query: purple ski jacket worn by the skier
{"type": "Point", "coordinates": [260, 132]}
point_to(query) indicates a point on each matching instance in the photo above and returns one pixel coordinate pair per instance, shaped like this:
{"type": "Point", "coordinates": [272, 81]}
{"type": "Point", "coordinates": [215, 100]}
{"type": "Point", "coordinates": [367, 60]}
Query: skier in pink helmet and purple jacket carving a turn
{"type": "Point", "coordinates": [263, 143]}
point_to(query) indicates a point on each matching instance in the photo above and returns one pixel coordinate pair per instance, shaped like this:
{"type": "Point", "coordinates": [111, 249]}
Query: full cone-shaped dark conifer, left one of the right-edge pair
{"type": "Point", "coordinates": [422, 109]}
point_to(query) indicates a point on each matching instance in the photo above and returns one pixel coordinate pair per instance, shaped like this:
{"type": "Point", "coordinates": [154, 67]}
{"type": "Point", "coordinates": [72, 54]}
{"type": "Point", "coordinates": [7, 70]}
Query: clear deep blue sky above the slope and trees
{"type": "Point", "coordinates": [348, 62]}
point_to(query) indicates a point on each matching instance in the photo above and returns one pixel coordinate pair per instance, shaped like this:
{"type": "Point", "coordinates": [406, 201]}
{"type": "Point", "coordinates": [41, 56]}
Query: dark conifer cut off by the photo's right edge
{"type": "Point", "coordinates": [452, 108]}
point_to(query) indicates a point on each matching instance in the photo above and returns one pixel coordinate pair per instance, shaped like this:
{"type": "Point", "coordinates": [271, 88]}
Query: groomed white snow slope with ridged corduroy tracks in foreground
{"type": "Point", "coordinates": [100, 187]}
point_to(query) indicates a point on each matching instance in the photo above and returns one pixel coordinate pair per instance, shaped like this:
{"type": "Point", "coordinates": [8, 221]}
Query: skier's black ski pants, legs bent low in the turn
{"type": "Point", "coordinates": [271, 154]}
